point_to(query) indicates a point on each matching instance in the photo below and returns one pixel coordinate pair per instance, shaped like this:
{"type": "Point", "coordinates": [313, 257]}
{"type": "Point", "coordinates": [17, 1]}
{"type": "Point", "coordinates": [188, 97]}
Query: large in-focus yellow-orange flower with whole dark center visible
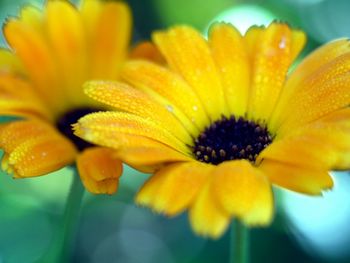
{"type": "Point", "coordinates": [222, 123]}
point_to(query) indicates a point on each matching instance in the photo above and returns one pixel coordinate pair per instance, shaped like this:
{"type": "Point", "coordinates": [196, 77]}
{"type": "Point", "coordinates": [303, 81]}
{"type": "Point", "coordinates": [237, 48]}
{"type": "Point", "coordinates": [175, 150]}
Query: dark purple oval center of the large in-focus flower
{"type": "Point", "coordinates": [231, 139]}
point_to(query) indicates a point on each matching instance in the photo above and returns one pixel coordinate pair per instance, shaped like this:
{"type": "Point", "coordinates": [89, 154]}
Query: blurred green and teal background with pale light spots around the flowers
{"type": "Point", "coordinates": [113, 229]}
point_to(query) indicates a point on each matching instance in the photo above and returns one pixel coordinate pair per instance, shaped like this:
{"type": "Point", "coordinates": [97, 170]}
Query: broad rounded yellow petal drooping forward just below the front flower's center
{"type": "Point", "coordinates": [244, 191]}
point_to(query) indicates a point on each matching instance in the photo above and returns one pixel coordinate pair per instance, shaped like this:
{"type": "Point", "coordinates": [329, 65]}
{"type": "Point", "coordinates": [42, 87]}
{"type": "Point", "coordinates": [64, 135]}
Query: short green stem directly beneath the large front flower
{"type": "Point", "coordinates": [239, 251]}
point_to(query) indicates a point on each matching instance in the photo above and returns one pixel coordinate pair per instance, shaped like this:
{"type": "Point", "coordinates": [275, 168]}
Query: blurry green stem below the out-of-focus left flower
{"type": "Point", "coordinates": [61, 248]}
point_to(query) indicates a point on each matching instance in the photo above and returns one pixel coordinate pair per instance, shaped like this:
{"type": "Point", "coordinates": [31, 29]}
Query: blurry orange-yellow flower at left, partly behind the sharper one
{"type": "Point", "coordinates": [52, 53]}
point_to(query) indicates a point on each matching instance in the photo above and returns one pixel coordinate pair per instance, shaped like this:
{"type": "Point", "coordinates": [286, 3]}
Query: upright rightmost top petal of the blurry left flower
{"type": "Point", "coordinates": [111, 22]}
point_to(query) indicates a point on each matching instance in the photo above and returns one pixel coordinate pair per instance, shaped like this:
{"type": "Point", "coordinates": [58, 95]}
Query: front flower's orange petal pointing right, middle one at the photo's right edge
{"type": "Point", "coordinates": [321, 145]}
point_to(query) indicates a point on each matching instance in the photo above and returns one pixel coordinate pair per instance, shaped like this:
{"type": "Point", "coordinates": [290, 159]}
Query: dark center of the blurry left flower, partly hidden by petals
{"type": "Point", "coordinates": [64, 123]}
